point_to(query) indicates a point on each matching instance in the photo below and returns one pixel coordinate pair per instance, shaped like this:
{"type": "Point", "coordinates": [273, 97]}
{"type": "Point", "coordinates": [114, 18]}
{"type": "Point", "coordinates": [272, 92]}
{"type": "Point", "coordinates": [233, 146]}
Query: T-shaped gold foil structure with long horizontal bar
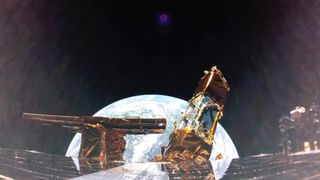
{"type": "Point", "coordinates": [102, 138]}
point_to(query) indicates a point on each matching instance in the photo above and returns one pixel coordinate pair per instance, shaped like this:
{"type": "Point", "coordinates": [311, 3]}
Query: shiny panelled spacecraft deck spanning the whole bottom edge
{"type": "Point", "coordinates": [21, 164]}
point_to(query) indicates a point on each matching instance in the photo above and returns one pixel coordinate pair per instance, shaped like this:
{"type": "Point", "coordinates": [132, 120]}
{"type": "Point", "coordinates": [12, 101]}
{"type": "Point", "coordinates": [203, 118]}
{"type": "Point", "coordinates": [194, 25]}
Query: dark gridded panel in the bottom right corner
{"type": "Point", "coordinates": [303, 166]}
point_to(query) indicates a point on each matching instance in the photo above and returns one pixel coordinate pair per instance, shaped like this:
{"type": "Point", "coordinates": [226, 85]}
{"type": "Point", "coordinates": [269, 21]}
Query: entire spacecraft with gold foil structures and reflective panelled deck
{"type": "Point", "coordinates": [186, 156]}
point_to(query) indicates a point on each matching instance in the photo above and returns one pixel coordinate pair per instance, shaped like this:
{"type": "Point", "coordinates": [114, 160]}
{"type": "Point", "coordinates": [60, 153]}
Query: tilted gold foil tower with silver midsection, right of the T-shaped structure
{"type": "Point", "coordinates": [192, 139]}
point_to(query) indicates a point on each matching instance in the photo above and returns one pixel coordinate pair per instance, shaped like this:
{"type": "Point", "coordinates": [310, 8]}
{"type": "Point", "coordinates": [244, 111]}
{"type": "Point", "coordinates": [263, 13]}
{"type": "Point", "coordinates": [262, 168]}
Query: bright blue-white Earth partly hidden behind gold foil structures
{"type": "Point", "coordinates": [142, 148]}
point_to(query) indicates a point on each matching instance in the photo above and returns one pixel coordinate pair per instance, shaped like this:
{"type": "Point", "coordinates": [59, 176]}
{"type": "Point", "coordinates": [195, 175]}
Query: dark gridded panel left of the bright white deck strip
{"type": "Point", "coordinates": [21, 164]}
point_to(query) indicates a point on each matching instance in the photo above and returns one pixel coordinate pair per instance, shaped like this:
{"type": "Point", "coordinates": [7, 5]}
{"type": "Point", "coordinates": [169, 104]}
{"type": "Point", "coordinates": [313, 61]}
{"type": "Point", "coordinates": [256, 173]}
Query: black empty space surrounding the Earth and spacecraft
{"type": "Point", "coordinates": [75, 57]}
